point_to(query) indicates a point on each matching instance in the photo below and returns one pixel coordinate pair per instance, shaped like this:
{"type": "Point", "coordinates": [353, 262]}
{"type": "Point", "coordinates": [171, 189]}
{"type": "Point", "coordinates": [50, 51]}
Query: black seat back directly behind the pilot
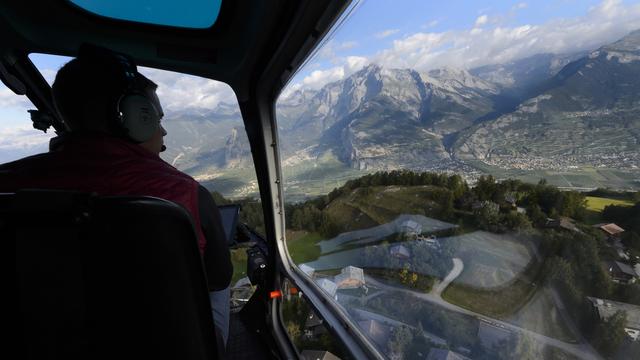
{"type": "Point", "coordinates": [106, 277]}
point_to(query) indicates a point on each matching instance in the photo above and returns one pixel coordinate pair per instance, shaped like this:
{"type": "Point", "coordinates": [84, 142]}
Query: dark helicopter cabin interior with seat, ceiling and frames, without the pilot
{"type": "Point", "coordinates": [62, 308]}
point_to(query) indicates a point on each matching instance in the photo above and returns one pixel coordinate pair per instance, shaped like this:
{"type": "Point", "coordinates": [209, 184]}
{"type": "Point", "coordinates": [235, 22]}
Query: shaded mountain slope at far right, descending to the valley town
{"type": "Point", "coordinates": [586, 114]}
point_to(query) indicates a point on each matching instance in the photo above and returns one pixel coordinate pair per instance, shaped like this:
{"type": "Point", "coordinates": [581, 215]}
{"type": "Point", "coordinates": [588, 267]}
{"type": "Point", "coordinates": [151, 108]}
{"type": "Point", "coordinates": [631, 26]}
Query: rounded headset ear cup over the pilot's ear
{"type": "Point", "coordinates": [139, 117]}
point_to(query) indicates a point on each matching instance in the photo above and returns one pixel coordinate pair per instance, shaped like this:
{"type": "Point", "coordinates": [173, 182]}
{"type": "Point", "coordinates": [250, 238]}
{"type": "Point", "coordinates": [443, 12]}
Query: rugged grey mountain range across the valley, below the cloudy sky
{"type": "Point", "coordinates": [547, 111]}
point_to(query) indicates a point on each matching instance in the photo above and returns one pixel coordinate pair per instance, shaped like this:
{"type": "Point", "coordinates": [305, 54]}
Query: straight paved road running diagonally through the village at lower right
{"type": "Point", "coordinates": [582, 350]}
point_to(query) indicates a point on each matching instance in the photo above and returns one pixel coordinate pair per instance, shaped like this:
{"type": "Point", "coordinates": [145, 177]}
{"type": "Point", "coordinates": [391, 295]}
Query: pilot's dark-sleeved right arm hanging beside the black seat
{"type": "Point", "coordinates": [217, 259]}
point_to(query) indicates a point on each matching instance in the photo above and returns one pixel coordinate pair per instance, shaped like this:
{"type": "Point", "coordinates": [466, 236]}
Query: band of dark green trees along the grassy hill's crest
{"type": "Point", "coordinates": [487, 206]}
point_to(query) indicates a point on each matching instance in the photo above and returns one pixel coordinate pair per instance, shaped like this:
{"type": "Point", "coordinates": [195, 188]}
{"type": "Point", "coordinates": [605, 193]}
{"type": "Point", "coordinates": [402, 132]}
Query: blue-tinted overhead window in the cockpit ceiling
{"type": "Point", "coordinates": [194, 14]}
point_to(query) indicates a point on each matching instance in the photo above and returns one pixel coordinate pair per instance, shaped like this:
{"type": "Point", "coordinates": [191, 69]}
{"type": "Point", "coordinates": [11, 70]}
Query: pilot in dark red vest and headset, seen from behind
{"type": "Point", "coordinates": [113, 148]}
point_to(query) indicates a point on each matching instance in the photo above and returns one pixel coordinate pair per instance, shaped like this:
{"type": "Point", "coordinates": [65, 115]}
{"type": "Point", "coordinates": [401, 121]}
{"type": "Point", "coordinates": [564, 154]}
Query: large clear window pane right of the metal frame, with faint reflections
{"type": "Point", "coordinates": [464, 180]}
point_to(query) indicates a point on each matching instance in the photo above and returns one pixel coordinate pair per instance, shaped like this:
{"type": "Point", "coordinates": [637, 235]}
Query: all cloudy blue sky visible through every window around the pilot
{"type": "Point", "coordinates": [418, 34]}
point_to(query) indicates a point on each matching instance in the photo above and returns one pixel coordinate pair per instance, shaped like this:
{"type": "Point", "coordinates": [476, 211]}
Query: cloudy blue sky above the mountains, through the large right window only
{"type": "Point", "coordinates": [391, 33]}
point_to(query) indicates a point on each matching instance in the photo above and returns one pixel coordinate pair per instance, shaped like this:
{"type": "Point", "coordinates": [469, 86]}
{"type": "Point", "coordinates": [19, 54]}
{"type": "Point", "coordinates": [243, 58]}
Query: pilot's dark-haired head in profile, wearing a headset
{"type": "Point", "coordinates": [101, 92]}
